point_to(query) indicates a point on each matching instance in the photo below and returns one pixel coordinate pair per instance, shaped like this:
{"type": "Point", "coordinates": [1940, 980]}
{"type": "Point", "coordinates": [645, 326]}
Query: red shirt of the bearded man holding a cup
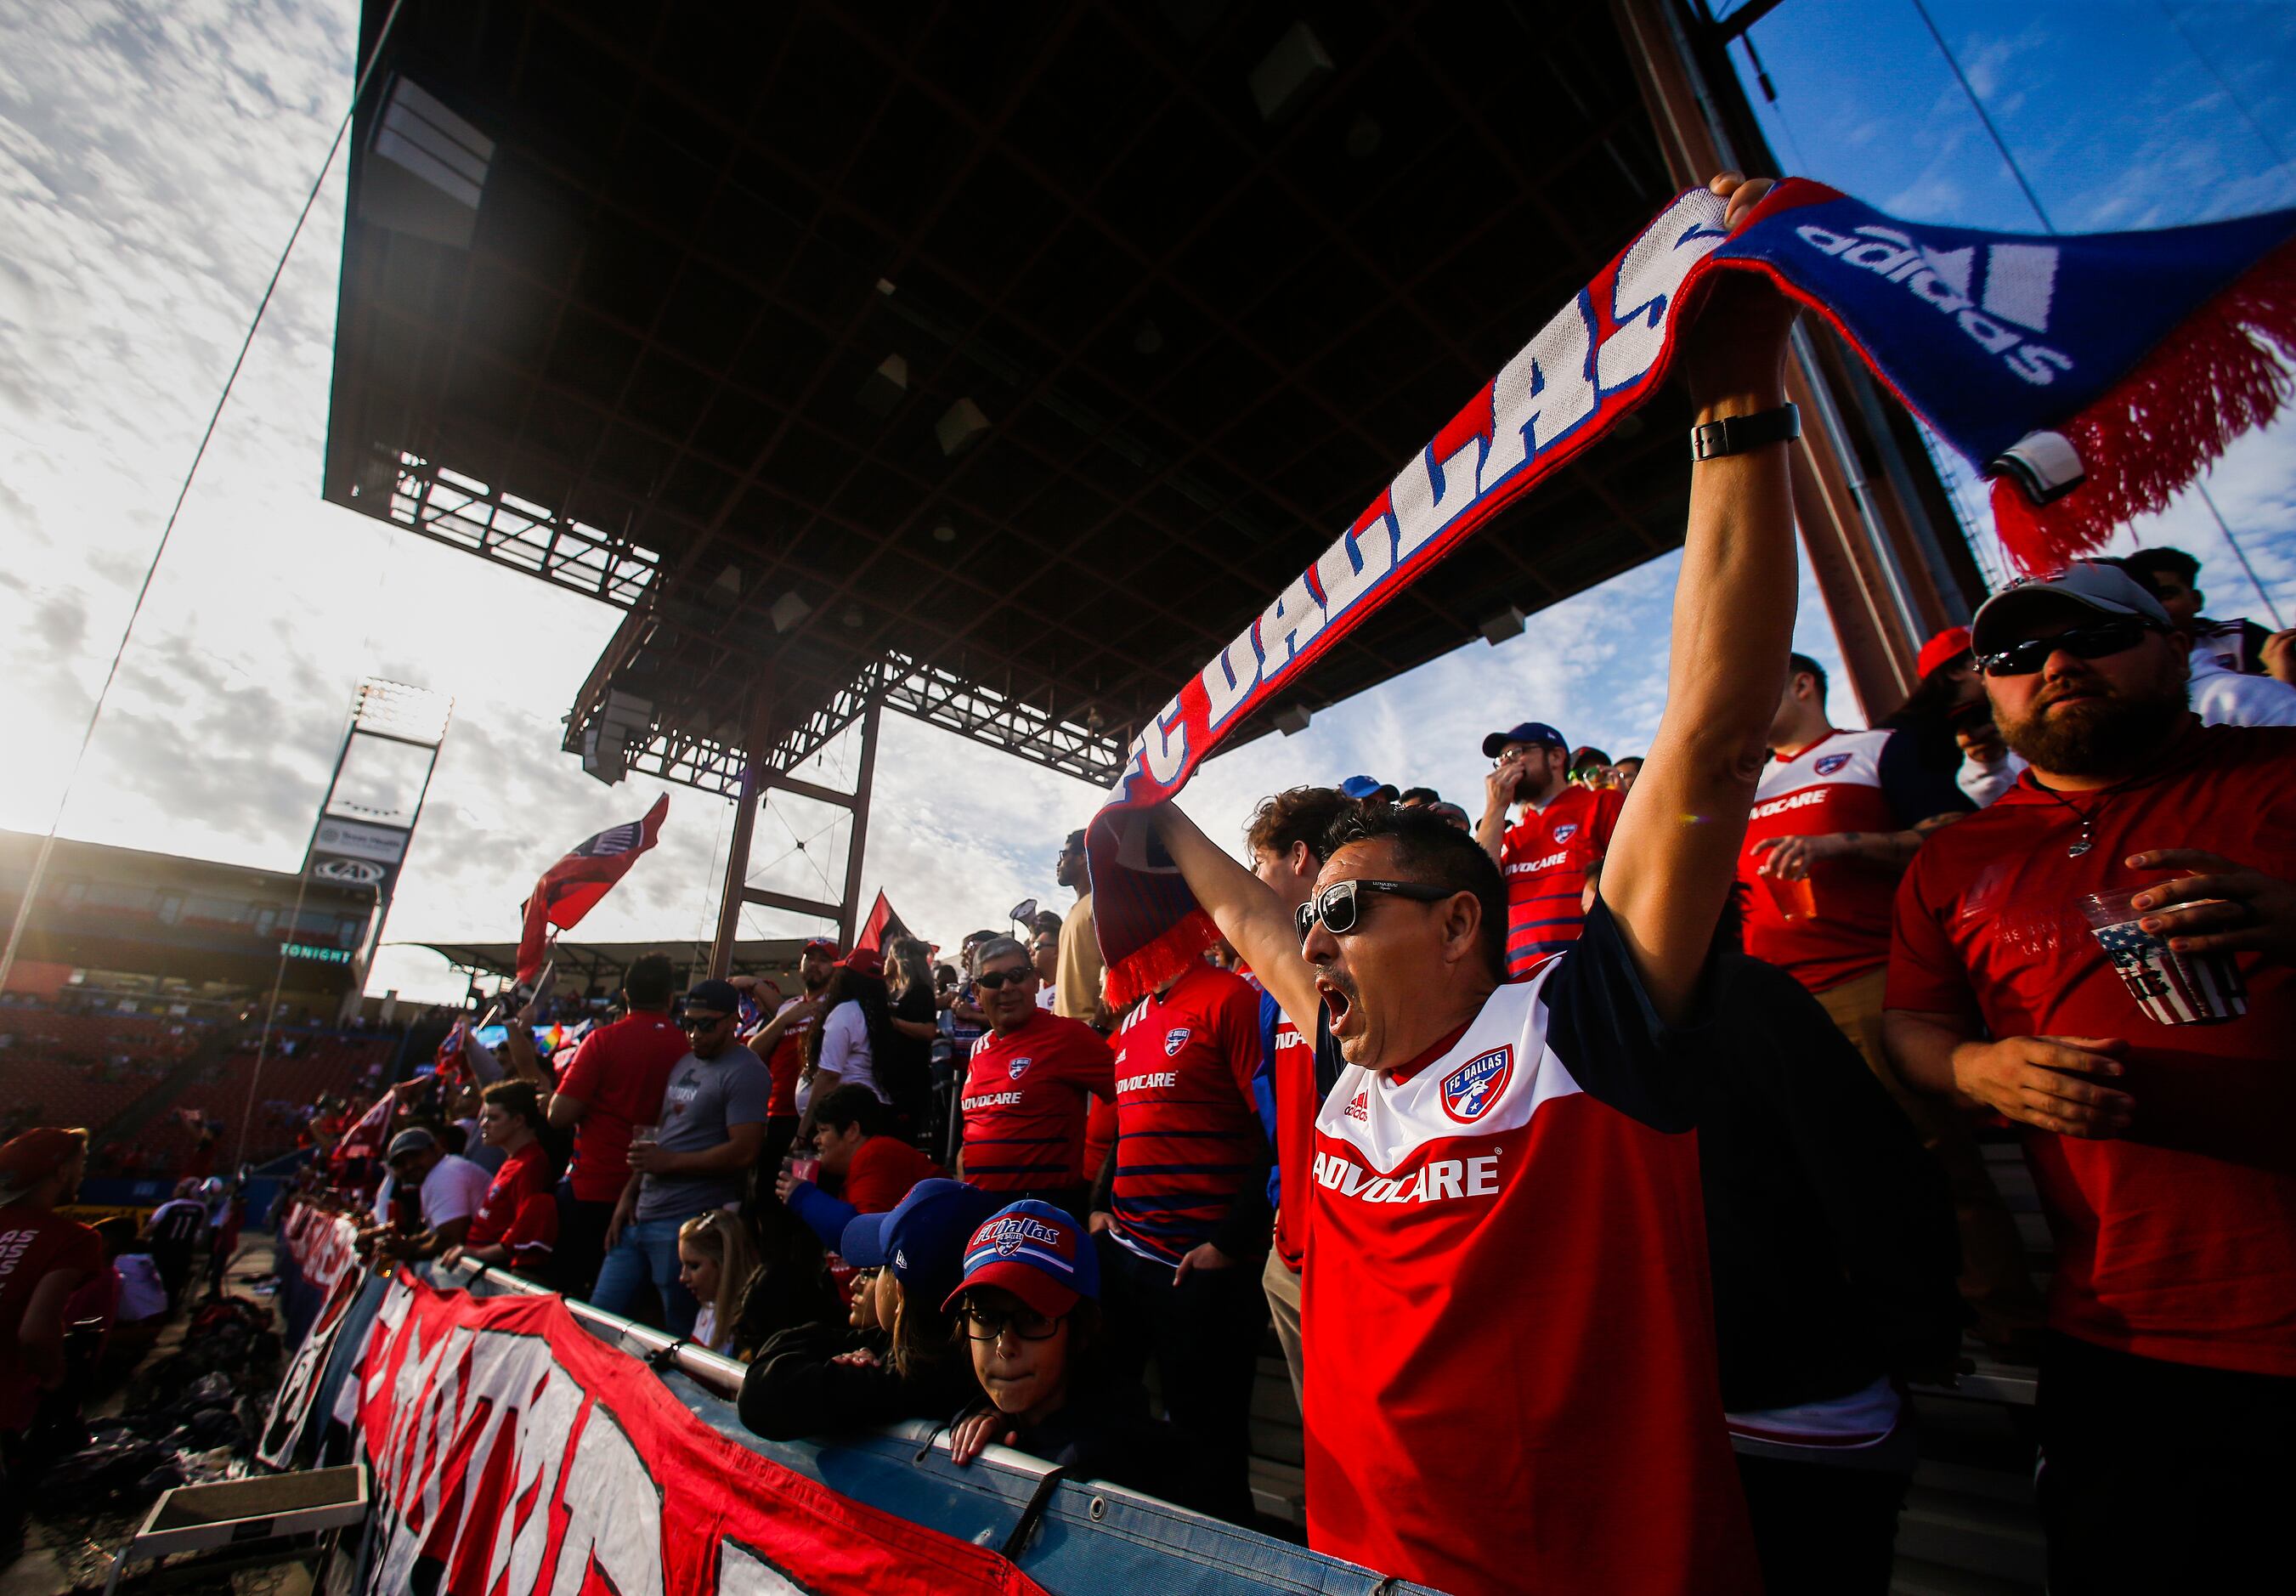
{"type": "Point", "coordinates": [2180, 1239]}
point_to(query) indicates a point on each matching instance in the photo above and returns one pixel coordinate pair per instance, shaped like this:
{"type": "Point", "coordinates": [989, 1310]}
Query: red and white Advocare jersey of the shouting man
{"type": "Point", "coordinates": [1507, 1326]}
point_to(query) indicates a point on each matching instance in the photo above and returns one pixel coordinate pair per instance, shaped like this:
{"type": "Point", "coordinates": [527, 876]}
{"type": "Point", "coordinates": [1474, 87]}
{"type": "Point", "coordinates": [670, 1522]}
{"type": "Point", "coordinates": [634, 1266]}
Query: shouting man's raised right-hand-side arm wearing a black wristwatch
{"type": "Point", "coordinates": [1675, 853]}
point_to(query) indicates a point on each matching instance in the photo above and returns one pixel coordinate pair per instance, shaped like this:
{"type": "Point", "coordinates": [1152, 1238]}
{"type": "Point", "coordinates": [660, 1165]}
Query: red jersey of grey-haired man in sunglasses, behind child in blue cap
{"type": "Point", "coordinates": [1025, 1103]}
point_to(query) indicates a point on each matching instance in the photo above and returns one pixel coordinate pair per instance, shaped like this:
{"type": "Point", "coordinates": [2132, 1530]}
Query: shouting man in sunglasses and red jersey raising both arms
{"type": "Point", "coordinates": [1507, 1335]}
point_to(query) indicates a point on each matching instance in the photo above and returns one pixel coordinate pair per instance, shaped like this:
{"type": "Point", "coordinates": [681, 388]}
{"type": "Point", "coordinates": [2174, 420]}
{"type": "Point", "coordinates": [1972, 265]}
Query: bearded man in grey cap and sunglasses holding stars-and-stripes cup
{"type": "Point", "coordinates": [2157, 1129]}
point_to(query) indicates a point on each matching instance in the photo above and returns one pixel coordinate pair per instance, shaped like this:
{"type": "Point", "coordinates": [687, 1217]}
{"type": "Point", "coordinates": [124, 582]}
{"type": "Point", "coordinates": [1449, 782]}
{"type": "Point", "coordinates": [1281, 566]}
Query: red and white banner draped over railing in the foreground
{"type": "Point", "coordinates": [513, 1452]}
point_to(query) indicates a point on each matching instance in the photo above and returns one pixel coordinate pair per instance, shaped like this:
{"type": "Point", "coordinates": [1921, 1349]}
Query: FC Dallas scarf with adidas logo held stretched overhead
{"type": "Point", "coordinates": [2143, 352]}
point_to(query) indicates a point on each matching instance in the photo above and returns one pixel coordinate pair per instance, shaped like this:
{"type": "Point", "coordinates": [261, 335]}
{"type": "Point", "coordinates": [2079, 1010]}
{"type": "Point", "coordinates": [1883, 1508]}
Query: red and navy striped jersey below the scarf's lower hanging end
{"type": "Point", "coordinates": [1188, 1131]}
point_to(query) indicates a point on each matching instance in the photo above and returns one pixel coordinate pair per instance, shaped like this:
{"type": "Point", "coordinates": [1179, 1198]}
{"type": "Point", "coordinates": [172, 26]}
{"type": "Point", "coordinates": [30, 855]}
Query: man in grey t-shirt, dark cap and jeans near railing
{"type": "Point", "coordinates": [713, 1126]}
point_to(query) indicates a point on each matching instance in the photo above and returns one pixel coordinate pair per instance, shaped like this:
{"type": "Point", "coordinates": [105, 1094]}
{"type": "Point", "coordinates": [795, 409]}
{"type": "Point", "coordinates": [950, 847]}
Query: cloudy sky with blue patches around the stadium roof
{"type": "Point", "coordinates": [153, 160]}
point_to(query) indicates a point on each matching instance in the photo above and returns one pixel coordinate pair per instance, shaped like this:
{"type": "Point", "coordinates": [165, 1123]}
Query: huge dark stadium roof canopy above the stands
{"type": "Point", "coordinates": [993, 362]}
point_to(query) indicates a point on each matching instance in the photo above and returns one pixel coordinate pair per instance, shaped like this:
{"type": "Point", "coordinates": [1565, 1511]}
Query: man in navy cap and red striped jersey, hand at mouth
{"type": "Point", "coordinates": [1553, 849]}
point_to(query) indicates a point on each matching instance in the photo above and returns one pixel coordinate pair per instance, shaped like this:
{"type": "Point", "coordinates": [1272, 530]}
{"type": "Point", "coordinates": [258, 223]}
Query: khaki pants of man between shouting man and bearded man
{"type": "Point", "coordinates": [1994, 1278]}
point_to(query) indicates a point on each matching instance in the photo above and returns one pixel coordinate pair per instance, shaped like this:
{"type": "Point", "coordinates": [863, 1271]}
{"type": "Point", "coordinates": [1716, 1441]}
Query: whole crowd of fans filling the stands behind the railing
{"type": "Point", "coordinates": [1429, 1115]}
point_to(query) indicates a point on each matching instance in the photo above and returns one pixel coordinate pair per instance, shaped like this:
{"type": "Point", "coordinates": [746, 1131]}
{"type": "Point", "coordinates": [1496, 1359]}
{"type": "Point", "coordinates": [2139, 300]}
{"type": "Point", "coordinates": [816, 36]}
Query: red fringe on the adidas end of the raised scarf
{"type": "Point", "coordinates": [2171, 417]}
